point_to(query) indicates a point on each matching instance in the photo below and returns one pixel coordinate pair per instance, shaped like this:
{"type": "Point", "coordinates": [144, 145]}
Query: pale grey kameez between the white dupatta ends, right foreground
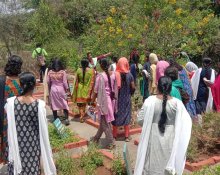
{"type": "Point", "coordinates": [160, 145]}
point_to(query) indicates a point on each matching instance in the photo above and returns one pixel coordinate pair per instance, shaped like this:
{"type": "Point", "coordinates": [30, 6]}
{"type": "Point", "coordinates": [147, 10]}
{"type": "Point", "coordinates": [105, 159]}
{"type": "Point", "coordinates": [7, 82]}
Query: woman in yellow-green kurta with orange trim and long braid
{"type": "Point", "coordinates": [85, 78]}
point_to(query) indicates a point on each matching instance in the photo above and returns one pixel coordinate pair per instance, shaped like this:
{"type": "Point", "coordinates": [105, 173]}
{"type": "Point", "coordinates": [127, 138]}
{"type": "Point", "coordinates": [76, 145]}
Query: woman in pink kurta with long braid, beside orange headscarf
{"type": "Point", "coordinates": [106, 93]}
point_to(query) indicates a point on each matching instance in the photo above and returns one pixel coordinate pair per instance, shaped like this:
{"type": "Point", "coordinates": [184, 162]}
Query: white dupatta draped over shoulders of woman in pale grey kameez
{"type": "Point", "coordinates": [183, 126]}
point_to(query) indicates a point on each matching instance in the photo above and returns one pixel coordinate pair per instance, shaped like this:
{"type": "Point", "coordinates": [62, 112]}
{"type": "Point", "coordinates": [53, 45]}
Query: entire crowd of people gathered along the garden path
{"type": "Point", "coordinates": [174, 95]}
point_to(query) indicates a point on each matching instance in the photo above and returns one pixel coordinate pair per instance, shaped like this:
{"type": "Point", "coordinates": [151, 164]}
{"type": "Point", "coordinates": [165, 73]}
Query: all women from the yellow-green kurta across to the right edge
{"type": "Point", "coordinates": [174, 95]}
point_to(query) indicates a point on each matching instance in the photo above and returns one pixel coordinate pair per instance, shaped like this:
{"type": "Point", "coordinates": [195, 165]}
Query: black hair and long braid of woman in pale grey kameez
{"type": "Point", "coordinates": [164, 87]}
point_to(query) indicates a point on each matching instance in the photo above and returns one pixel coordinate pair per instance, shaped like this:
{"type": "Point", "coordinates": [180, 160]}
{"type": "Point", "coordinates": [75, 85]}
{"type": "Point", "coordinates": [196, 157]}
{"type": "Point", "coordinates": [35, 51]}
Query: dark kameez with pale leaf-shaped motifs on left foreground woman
{"type": "Point", "coordinates": [27, 127]}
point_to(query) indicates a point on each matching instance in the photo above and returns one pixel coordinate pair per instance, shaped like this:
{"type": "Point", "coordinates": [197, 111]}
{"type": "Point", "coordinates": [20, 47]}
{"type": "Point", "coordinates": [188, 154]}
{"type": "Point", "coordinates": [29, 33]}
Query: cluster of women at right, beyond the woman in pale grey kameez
{"type": "Point", "coordinates": [195, 87]}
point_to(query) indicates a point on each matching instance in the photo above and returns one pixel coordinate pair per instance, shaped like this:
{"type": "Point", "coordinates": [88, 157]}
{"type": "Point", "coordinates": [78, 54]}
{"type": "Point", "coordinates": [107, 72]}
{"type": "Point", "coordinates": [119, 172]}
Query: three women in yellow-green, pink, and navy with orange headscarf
{"type": "Point", "coordinates": [109, 91]}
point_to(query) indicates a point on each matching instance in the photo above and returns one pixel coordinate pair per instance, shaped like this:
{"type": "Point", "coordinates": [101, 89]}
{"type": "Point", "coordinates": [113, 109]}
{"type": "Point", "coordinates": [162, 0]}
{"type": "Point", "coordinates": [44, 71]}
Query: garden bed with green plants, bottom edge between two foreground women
{"type": "Point", "coordinates": [93, 161]}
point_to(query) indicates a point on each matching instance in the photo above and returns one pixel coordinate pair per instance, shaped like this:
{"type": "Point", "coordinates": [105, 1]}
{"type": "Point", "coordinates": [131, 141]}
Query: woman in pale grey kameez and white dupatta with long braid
{"type": "Point", "coordinates": [165, 133]}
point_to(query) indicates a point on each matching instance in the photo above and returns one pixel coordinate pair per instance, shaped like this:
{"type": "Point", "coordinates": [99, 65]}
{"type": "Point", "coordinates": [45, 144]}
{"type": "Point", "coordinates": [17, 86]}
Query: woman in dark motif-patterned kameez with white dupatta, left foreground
{"type": "Point", "coordinates": [28, 139]}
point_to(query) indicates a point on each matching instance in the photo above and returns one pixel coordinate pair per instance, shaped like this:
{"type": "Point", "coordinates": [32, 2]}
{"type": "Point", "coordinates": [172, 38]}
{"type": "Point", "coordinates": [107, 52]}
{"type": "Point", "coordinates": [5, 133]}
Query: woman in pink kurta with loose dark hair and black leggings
{"type": "Point", "coordinates": [58, 87]}
